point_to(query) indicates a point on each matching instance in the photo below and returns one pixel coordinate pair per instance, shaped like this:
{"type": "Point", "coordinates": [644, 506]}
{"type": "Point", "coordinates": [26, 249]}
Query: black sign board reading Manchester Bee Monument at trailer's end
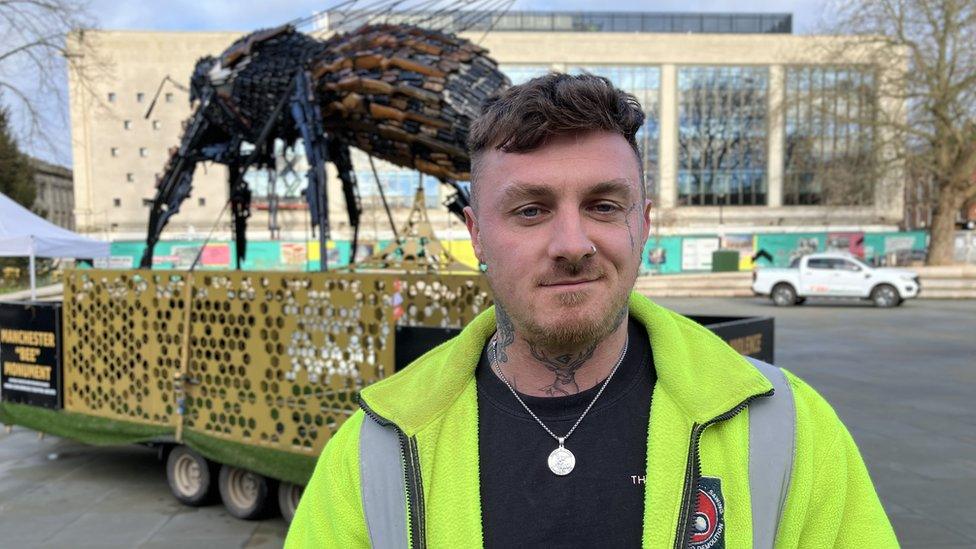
{"type": "Point", "coordinates": [30, 354]}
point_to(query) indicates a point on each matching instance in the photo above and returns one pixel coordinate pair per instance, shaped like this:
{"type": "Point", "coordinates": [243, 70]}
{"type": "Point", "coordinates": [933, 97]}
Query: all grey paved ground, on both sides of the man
{"type": "Point", "coordinates": [903, 380]}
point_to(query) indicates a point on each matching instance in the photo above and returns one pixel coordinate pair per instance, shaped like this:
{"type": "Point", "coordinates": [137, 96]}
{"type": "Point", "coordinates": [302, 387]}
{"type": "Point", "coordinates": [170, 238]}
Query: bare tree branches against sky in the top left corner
{"type": "Point", "coordinates": [34, 63]}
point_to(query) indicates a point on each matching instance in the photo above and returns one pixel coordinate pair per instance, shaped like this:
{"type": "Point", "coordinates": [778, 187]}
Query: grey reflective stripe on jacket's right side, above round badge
{"type": "Point", "coordinates": [772, 440]}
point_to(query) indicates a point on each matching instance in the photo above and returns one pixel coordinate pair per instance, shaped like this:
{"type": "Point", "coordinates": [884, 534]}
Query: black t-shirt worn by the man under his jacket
{"type": "Point", "coordinates": [601, 502]}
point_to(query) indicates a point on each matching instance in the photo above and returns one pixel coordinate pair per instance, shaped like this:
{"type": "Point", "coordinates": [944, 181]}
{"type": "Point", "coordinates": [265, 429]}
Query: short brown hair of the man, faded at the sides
{"type": "Point", "coordinates": [527, 116]}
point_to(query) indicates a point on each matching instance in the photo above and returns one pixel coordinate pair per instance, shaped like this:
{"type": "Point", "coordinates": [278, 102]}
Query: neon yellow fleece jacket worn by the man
{"type": "Point", "coordinates": [831, 501]}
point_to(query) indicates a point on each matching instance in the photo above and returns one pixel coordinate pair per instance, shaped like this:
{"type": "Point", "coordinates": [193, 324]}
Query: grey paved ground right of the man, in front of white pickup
{"type": "Point", "coordinates": [904, 382]}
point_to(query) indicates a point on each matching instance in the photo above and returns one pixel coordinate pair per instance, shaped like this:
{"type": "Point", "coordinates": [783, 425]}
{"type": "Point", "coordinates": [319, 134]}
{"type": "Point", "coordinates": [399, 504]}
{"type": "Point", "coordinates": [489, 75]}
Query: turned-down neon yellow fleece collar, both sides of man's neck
{"type": "Point", "coordinates": [703, 375]}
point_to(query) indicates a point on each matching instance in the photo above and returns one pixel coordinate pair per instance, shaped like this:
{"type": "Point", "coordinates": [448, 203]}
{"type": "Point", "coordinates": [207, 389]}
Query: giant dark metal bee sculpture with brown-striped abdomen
{"type": "Point", "coordinates": [400, 93]}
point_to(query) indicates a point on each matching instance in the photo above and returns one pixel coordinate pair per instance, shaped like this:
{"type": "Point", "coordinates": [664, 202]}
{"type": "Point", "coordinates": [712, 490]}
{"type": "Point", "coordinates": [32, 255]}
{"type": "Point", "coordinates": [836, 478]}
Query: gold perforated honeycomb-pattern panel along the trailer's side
{"type": "Point", "coordinates": [273, 359]}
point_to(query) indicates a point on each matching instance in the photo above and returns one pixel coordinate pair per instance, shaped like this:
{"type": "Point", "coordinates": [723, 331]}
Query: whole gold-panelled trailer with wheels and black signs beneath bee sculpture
{"type": "Point", "coordinates": [238, 379]}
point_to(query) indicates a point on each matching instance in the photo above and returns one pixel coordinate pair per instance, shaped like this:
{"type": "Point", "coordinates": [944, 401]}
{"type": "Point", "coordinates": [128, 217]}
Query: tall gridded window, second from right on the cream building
{"type": "Point", "coordinates": [722, 135]}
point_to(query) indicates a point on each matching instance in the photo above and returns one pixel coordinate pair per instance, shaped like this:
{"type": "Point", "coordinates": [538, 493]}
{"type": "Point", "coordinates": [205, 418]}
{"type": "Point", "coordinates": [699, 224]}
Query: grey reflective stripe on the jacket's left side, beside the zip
{"type": "Point", "coordinates": [383, 485]}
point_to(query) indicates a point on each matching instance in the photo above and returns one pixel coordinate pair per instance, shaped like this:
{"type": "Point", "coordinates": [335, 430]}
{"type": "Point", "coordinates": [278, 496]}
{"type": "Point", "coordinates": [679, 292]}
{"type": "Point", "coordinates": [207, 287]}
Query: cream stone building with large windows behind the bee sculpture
{"type": "Point", "coordinates": [749, 128]}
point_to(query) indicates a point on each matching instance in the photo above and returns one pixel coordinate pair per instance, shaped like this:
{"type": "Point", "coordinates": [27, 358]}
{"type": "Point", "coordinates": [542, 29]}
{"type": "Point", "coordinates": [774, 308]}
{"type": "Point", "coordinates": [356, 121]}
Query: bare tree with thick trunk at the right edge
{"type": "Point", "coordinates": [936, 128]}
